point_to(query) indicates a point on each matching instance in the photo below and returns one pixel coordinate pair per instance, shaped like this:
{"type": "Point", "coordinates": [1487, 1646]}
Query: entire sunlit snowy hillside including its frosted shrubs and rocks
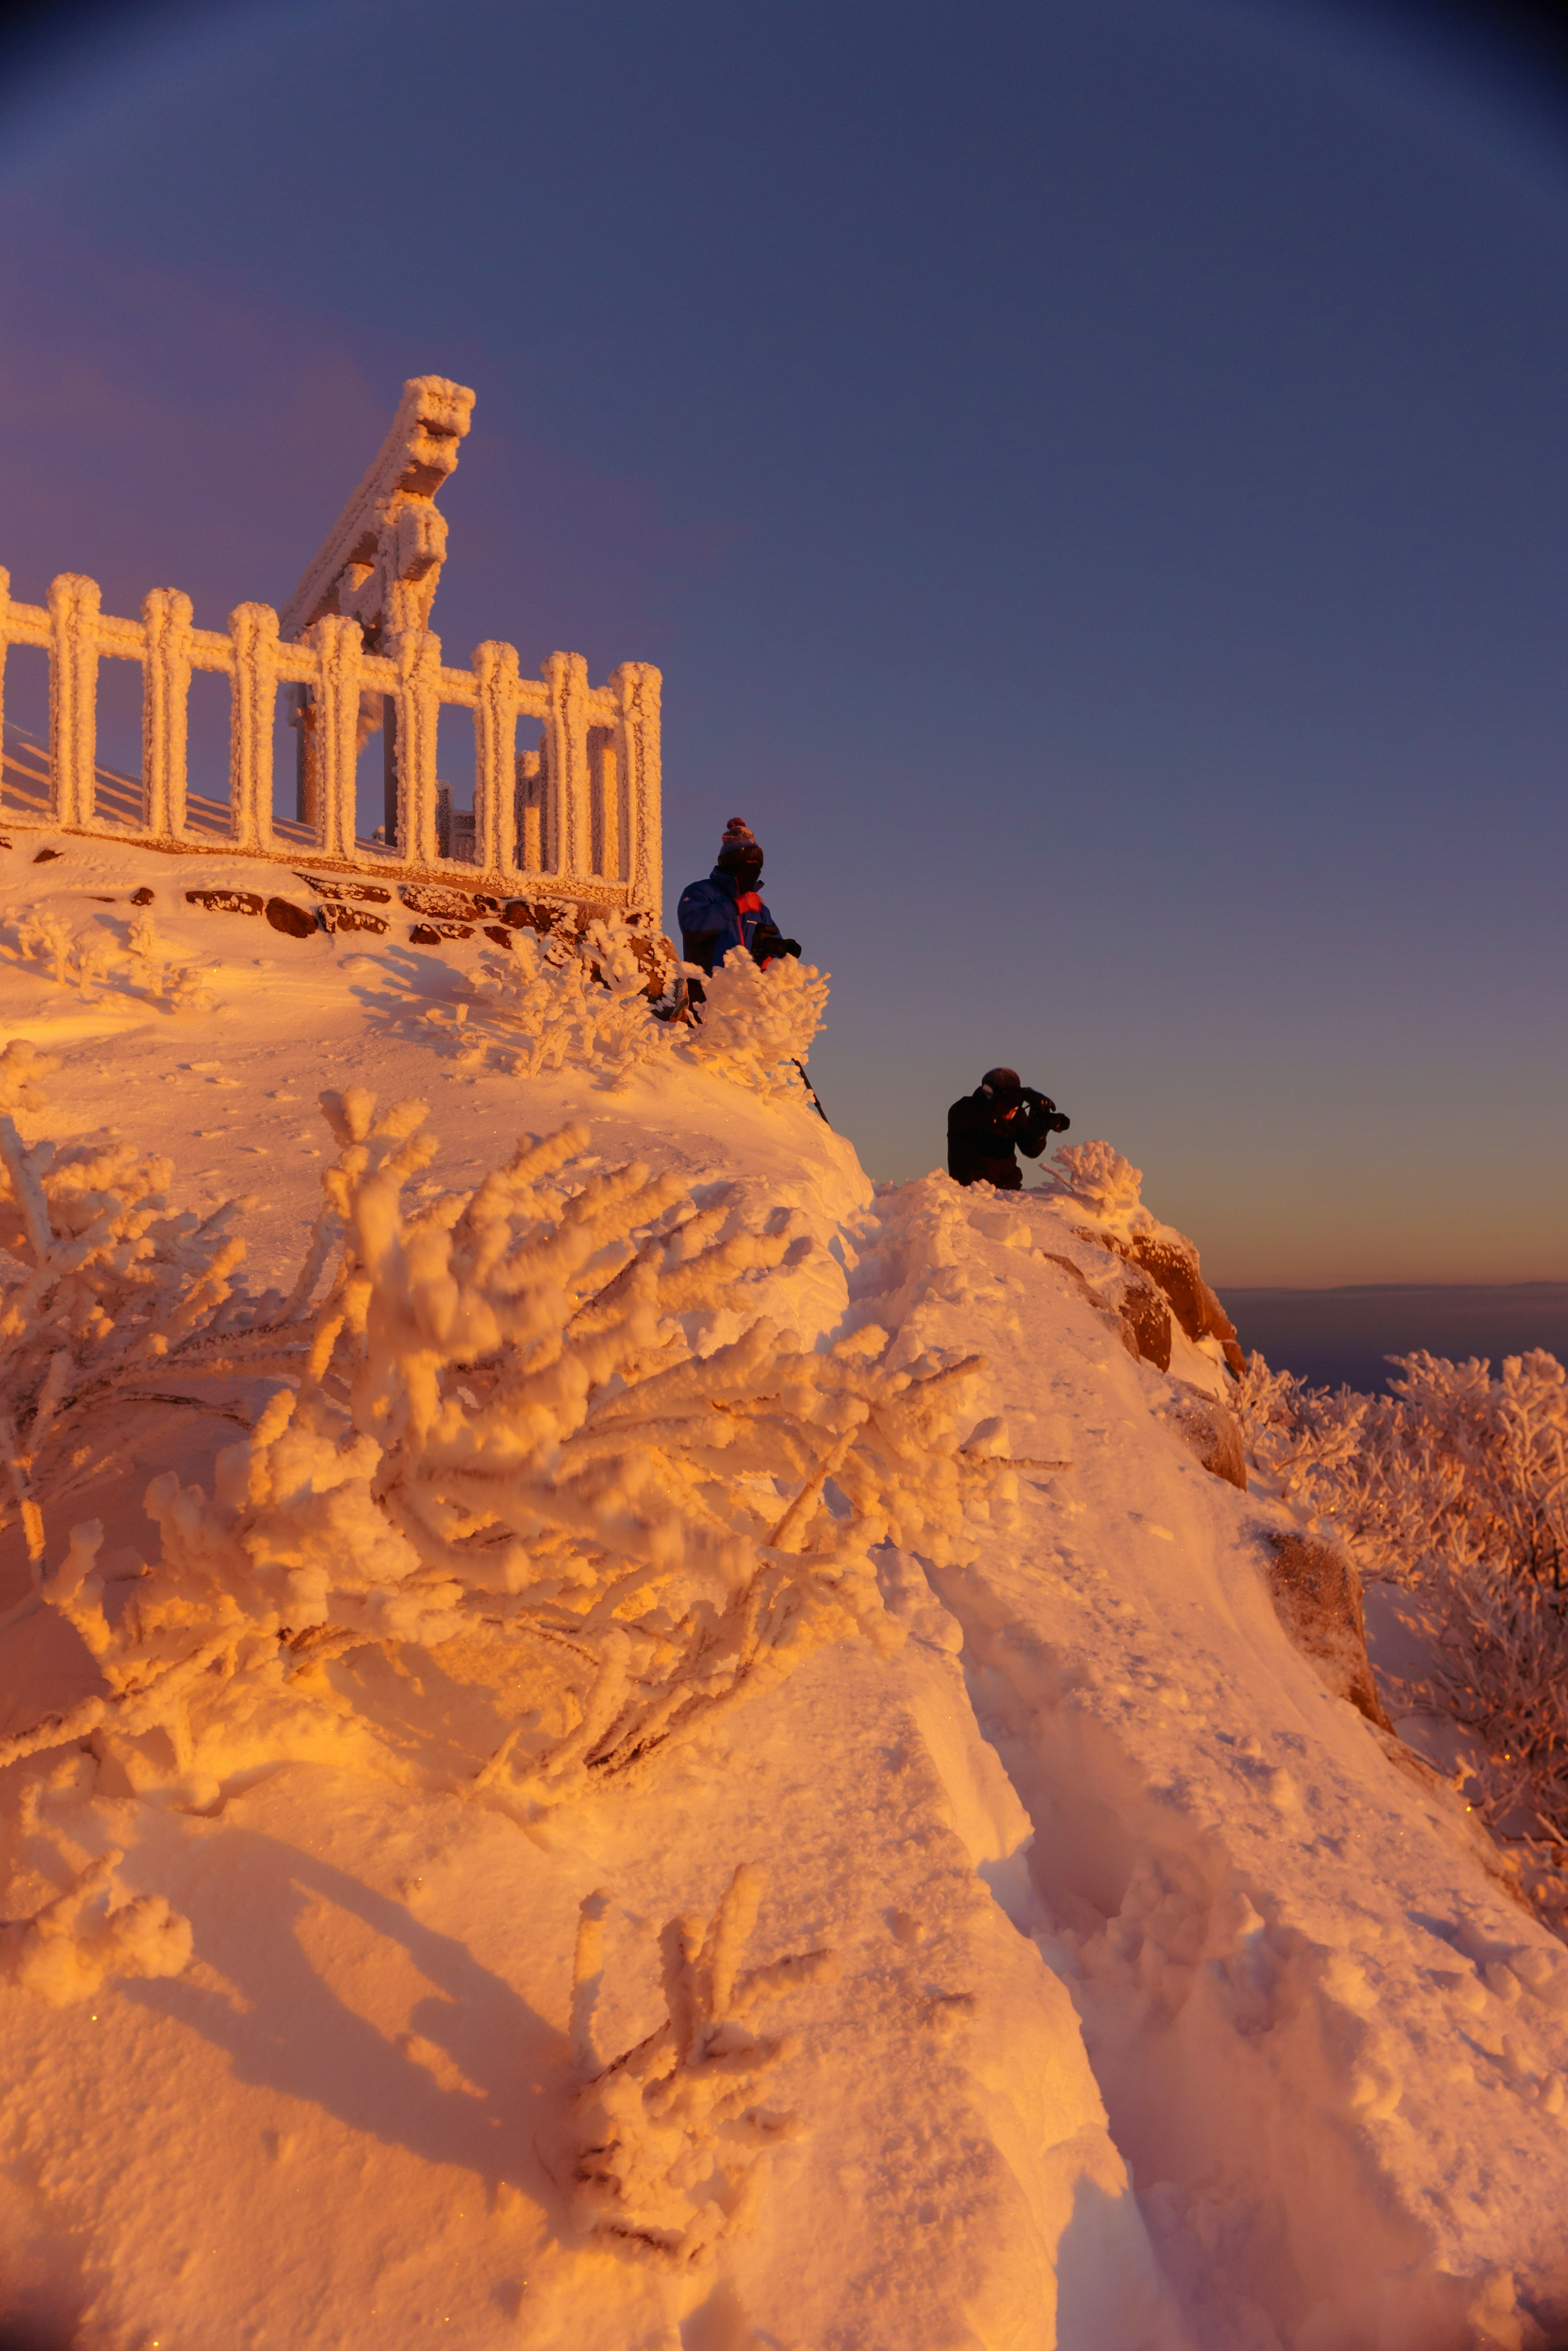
{"type": "Point", "coordinates": [681, 1760]}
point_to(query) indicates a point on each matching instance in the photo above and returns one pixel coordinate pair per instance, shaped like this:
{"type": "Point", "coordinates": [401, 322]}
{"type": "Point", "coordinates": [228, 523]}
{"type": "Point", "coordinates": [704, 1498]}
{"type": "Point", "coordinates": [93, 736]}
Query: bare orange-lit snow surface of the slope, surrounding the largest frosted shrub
{"type": "Point", "coordinates": [1139, 1995]}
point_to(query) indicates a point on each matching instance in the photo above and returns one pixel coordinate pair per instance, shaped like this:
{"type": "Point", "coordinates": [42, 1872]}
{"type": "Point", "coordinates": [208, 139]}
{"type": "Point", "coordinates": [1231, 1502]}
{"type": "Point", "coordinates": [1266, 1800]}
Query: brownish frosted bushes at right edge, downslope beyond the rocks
{"type": "Point", "coordinates": [1456, 1482]}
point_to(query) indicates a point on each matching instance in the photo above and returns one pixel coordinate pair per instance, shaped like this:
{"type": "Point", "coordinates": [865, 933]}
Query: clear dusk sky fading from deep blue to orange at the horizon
{"type": "Point", "coordinates": [1092, 471]}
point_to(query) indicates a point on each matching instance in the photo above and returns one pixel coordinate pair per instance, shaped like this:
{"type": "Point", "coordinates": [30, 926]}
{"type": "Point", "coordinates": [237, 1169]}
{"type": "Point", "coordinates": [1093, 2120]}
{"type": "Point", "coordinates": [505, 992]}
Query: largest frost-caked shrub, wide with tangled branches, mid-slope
{"type": "Point", "coordinates": [504, 1433]}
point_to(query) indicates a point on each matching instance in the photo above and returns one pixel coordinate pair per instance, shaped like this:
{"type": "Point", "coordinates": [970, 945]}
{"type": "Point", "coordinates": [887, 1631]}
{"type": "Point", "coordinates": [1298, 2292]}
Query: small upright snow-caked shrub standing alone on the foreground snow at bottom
{"type": "Point", "coordinates": [674, 2129]}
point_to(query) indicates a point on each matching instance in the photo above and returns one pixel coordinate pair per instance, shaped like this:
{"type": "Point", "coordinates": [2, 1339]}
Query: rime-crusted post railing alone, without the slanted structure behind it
{"type": "Point", "coordinates": [579, 817]}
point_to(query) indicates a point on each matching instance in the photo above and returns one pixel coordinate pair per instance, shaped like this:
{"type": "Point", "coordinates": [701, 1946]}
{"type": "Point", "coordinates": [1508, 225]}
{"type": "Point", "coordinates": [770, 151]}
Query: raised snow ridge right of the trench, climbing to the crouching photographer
{"type": "Point", "coordinates": [1329, 2042]}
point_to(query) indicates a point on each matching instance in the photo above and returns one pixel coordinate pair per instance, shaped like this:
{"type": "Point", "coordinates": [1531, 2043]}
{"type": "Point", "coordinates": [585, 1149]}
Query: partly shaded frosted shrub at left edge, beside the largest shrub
{"type": "Point", "coordinates": [112, 1306]}
